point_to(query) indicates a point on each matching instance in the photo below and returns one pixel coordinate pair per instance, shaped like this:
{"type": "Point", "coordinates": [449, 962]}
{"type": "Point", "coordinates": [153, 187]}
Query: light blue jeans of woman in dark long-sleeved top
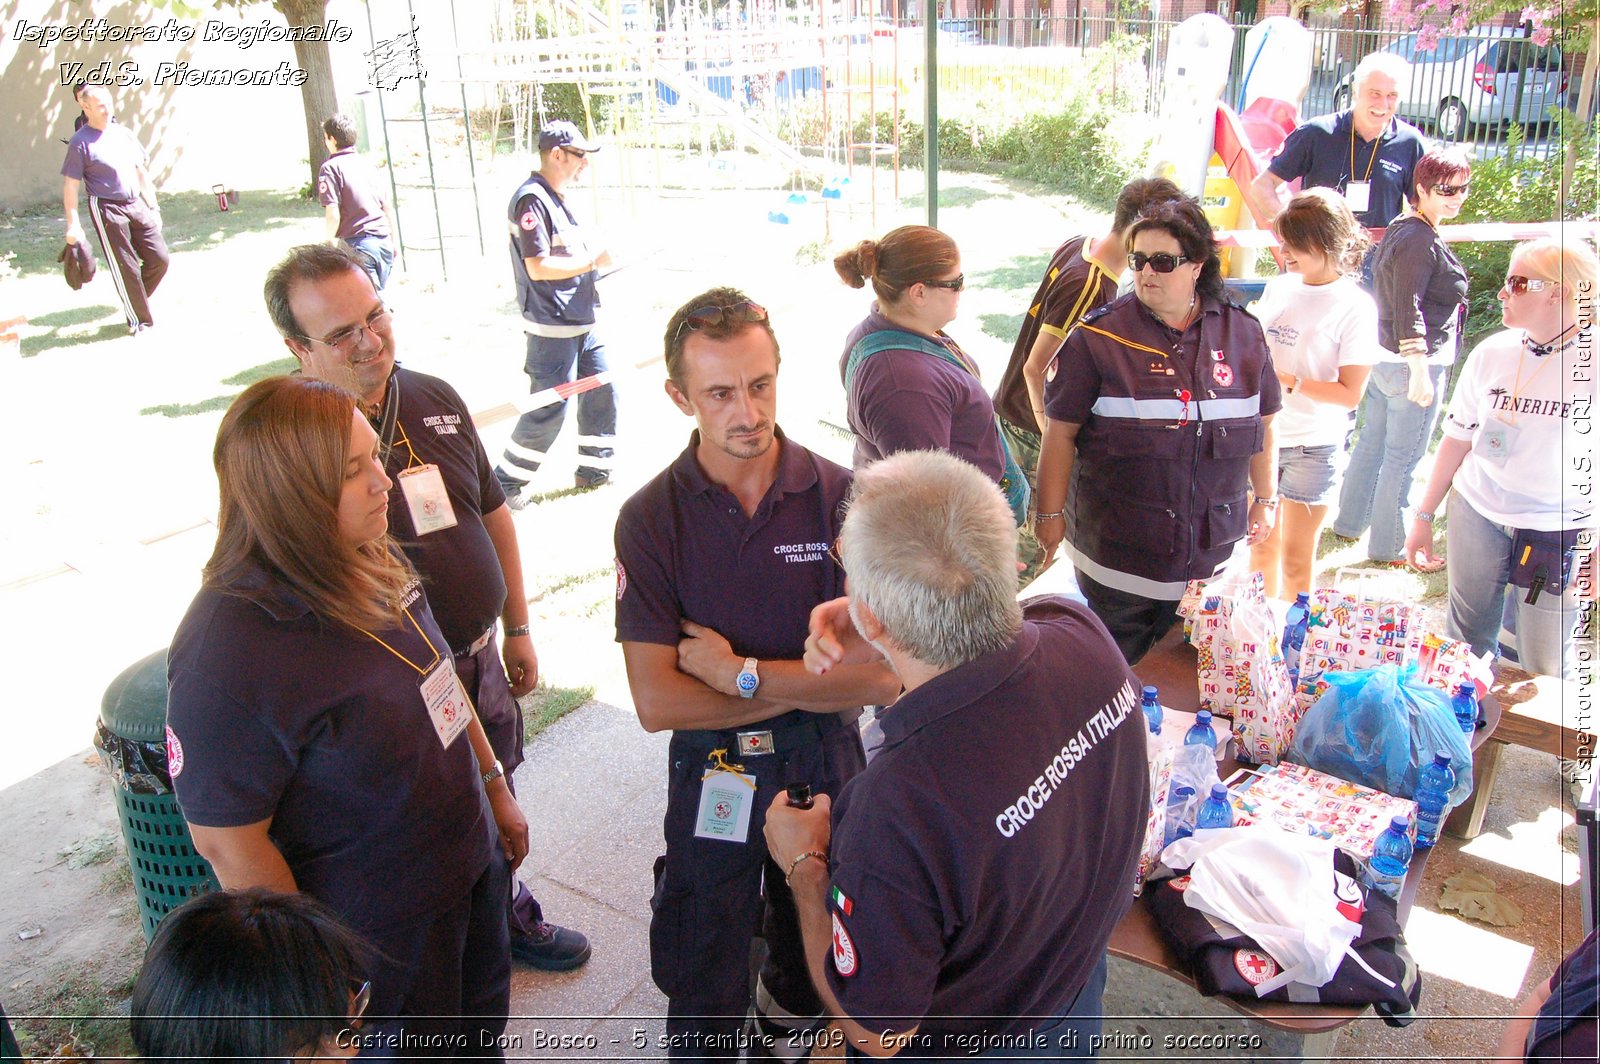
{"type": "Point", "coordinates": [1393, 441]}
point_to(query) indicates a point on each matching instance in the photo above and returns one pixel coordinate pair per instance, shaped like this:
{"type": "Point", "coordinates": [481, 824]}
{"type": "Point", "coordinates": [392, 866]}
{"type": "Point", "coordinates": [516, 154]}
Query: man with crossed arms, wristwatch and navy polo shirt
{"type": "Point", "coordinates": [719, 562]}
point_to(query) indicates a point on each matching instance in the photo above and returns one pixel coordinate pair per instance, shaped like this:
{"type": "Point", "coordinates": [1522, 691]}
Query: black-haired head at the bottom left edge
{"type": "Point", "coordinates": [250, 975]}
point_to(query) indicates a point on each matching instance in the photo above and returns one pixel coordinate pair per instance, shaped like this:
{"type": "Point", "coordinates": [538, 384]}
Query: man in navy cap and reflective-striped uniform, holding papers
{"type": "Point", "coordinates": [556, 271]}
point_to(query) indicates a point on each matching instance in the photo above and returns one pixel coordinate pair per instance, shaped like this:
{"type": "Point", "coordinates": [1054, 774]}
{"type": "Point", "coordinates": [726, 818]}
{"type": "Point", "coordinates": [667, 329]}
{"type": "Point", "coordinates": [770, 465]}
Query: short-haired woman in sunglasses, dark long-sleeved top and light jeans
{"type": "Point", "coordinates": [1422, 295]}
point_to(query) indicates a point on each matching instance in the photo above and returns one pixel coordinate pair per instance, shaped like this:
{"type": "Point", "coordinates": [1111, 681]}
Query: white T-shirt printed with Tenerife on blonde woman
{"type": "Point", "coordinates": [1529, 420]}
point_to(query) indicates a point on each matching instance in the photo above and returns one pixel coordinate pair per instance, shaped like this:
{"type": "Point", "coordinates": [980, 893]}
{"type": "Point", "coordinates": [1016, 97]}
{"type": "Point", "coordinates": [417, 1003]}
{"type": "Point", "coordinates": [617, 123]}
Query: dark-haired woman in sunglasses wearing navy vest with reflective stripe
{"type": "Point", "coordinates": [1159, 454]}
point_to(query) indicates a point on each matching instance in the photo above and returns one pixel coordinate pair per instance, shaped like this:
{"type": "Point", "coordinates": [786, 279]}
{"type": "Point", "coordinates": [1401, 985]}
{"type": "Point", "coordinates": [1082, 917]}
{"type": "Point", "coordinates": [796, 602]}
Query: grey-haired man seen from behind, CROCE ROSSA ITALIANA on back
{"type": "Point", "coordinates": [966, 892]}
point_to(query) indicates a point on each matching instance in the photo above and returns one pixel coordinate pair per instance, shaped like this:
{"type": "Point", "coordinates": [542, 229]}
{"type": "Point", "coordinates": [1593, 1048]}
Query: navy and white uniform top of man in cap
{"type": "Point", "coordinates": [542, 225]}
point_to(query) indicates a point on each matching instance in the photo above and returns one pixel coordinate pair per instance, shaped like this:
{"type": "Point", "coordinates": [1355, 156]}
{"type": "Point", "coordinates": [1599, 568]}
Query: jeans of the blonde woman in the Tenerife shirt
{"type": "Point", "coordinates": [1479, 554]}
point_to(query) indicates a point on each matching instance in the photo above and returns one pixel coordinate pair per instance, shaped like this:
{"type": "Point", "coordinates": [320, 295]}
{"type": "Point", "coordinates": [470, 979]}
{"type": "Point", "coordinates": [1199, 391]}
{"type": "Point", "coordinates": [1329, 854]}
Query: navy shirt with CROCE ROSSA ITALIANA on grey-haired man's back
{"type": "Point", "coordinates": [983, 860]}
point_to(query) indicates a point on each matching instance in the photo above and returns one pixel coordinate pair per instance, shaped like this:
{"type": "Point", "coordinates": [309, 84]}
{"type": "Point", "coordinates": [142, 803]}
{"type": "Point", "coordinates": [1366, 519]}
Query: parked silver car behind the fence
{"type": "Point", "coordinates": [1492, 76]}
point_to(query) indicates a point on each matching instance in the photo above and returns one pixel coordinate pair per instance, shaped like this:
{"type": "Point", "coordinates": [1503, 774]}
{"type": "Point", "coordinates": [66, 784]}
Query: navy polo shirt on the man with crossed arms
{"type": "Point", "coordinates": [687, 551]}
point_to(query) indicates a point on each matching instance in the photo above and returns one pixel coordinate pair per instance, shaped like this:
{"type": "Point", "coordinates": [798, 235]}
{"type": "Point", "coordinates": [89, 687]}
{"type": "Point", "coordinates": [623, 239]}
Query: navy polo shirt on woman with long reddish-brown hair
{"type": "Point", "coordinates": [274, 714]}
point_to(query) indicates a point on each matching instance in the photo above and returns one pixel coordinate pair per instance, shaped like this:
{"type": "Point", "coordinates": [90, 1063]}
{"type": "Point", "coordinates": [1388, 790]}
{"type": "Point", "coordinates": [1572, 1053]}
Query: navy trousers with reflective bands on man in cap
{"type": "Point", "coordinates": [558, 361]}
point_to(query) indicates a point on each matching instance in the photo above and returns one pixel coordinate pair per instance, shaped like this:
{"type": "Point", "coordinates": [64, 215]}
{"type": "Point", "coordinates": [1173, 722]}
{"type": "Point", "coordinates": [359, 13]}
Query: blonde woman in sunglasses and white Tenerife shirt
{"type": "Point", "coordinates": [1518, 466]}
